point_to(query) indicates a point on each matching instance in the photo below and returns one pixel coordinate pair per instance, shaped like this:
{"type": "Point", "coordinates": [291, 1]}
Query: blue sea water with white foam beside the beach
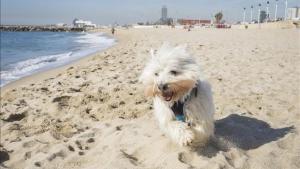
{"type": "Point", "coordinates": [25, 53]}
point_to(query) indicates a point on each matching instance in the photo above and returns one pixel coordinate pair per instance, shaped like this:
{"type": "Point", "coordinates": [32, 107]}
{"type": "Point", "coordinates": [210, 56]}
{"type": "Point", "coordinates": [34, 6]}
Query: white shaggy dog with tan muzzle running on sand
{"type": "Point", "coordinates": [183, 103]}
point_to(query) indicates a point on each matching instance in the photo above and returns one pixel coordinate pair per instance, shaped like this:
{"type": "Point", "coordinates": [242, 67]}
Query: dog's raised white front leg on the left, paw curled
{"type": "Point", "coordinates": [178, 131]}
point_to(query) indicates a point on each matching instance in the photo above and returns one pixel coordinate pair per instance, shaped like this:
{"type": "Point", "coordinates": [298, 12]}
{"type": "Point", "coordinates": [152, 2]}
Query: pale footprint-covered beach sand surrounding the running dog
{"type": "Point", "coordinates": [93, 114]}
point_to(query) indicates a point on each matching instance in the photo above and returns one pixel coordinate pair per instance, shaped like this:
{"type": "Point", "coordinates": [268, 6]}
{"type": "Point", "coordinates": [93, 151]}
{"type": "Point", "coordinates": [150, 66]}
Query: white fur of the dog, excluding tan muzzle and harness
{"type": "Point", "coordinates": [198, 109]}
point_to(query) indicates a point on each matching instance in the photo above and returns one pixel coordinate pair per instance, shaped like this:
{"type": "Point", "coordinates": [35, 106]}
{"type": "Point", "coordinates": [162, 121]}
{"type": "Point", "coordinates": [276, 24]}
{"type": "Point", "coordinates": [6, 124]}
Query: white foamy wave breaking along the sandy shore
{"type": "Point", "coordinates": [96, 42]}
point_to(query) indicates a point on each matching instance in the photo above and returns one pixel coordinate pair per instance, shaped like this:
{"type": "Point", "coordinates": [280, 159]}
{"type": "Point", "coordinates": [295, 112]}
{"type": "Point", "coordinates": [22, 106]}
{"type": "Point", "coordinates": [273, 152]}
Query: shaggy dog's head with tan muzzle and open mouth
{"type": "Point", "coordinates": [170, 74]}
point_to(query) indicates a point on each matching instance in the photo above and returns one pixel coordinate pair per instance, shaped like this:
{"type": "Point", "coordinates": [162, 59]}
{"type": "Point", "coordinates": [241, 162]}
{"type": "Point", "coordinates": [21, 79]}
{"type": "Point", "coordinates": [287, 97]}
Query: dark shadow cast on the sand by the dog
{"type": "Point", "coordinates": [242, 132]}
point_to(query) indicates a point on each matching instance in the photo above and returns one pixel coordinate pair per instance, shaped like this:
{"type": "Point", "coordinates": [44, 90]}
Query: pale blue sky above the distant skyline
{"type": "Point", "coordinates": [126, 11]}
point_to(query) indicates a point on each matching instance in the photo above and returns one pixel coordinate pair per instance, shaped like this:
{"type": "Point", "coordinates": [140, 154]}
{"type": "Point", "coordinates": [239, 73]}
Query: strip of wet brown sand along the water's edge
{"type": "Point", "coordinates": [54, 71]}
